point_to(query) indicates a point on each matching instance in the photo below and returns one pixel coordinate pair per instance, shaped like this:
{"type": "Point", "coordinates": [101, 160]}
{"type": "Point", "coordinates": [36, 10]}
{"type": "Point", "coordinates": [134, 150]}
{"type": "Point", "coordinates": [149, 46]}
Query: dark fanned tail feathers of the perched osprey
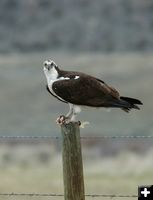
{"type": "Point", "coordinates": [128, 103]}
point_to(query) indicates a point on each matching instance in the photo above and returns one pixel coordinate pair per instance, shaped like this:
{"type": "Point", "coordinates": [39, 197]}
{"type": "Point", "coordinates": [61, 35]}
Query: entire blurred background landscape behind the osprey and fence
{"type": "Point", "coordinates": [110, 39]}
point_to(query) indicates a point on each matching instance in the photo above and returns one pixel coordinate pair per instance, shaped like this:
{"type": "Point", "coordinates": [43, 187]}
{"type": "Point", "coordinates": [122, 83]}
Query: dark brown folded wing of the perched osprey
{"type": "Point", "coordinates": [86, 90]}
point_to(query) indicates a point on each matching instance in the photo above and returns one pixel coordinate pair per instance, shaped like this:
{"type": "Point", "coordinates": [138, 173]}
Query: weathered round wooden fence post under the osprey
{"type": "Point", "coordinates": [72, 162]}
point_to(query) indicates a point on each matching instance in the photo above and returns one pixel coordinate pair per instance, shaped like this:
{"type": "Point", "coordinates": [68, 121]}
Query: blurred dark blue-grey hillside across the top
{"type": "Point", "coordinates": [82, 25]}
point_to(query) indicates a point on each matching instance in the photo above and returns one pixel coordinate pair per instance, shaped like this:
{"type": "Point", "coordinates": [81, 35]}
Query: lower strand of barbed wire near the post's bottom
{"type": "Point", "coordinates": [61, 195]}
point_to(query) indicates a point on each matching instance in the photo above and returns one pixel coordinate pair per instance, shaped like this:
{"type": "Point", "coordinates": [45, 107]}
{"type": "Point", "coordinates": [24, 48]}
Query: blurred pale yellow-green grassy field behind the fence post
{"type": "Point", "coordinates": [24, 171]}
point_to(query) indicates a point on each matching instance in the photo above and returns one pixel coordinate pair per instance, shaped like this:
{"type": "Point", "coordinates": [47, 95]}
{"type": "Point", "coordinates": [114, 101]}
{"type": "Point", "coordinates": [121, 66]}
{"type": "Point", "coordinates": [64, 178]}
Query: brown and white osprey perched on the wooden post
{"type": "Point", "coordinates": [79, 89]}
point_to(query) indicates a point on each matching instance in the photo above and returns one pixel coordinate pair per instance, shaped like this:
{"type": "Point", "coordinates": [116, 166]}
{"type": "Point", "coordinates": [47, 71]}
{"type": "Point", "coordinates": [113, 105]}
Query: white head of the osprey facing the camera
{"type": "Point", "coordinates": [50, 70]}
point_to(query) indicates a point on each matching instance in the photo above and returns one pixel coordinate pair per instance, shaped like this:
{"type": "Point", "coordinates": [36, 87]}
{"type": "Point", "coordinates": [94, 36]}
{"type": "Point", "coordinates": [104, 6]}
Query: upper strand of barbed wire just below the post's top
{"type": "Point", "coordinates": [82, 137]}
